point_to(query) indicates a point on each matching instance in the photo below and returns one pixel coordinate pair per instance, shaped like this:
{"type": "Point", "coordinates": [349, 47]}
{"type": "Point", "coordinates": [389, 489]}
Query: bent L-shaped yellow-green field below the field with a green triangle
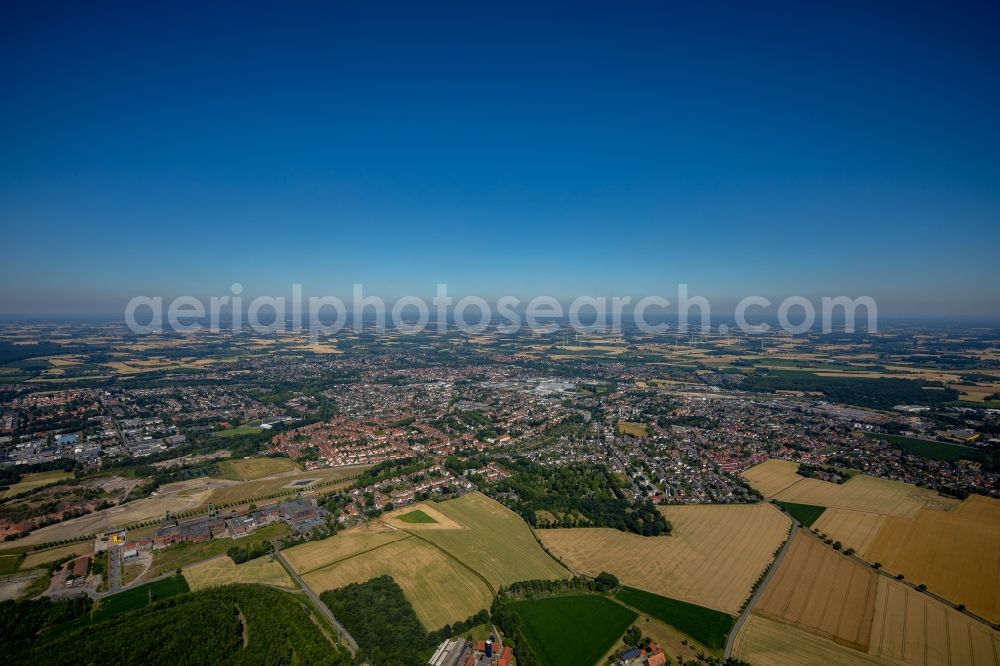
{"type": "Point", "coordinates": [441, 590]}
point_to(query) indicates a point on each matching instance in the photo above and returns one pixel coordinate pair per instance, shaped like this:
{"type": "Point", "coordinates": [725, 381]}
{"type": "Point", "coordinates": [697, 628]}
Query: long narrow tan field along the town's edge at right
{"type": "Point", "coordinates": [777, 479]}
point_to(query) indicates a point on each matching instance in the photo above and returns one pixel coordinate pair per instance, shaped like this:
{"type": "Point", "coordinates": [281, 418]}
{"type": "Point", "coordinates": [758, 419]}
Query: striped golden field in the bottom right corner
{"type": "Point", "coordinates": [912, 628]}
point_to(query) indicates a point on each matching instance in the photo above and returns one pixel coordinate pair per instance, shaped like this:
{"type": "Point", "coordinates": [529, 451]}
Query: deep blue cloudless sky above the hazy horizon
{"type": "Point", "coordinates": [502, 148]}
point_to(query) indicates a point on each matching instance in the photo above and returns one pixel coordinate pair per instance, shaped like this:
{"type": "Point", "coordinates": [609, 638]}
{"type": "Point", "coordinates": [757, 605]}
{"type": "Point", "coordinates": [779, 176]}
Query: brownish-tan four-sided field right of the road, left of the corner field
{"type": "Point", "coordinates": [819, 590]}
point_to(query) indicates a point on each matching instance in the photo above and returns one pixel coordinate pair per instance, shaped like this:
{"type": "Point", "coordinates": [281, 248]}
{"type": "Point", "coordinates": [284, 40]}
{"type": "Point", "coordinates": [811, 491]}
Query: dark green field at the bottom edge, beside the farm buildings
{"type": "Point", "coordinates": [572, 630]}
